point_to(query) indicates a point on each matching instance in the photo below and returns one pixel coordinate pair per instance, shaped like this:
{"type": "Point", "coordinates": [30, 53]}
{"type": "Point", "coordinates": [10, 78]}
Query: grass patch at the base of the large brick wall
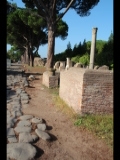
{"type": "Point", "coordinates": [101, 125]}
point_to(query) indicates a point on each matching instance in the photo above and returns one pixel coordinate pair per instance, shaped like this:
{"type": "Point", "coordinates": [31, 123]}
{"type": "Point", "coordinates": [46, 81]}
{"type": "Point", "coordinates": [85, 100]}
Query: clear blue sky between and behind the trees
{"type": "Point", "coordinates": [80, 28]}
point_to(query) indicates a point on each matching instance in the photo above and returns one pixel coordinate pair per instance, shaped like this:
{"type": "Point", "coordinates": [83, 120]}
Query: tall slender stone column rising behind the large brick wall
{"type": "Point", "coordinates": [93, 46]}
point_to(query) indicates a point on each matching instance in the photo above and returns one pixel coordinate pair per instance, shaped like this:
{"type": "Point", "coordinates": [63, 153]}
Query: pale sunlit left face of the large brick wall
{"type": "Point", "coordinates": [71, 82]}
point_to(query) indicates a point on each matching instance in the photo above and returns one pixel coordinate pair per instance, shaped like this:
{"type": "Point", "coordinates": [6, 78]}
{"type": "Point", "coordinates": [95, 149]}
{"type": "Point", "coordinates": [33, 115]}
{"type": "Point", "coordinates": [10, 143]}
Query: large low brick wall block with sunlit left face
{"type": "Point", "coordinates": [87, 91]}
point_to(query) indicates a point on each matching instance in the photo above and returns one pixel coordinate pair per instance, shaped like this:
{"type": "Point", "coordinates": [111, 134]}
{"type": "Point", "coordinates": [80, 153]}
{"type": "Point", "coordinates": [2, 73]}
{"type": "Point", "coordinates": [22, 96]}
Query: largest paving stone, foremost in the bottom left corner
{"type": "Point", "coordinates": [21, 151]}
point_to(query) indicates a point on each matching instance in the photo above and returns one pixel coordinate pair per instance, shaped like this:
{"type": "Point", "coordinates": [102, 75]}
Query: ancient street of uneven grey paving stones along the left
{"type": "Point", "coordinates": [20, 128]}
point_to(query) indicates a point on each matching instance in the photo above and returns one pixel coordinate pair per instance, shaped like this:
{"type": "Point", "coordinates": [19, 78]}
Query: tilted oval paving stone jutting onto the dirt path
{"type": "Point", "coordinates": [42, 134]}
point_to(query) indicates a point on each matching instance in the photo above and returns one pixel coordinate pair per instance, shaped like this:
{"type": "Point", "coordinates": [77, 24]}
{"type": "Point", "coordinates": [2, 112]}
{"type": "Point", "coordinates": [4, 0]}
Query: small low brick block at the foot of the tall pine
{"type": "Point", "coordinates": [50, 81]}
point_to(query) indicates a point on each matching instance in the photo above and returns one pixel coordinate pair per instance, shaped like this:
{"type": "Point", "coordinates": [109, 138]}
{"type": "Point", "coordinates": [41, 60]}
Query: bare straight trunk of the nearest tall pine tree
{"type": "Point", "coordinates": [51, 44]}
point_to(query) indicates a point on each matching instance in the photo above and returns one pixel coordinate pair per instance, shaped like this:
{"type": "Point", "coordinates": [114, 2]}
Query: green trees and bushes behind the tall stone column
{"type": "Point", "coordinates": [81, 53]}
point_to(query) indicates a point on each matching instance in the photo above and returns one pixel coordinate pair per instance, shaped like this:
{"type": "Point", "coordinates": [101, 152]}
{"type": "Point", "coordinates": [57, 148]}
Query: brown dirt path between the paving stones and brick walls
{"type": "Point", "coordinates": [68, 142]}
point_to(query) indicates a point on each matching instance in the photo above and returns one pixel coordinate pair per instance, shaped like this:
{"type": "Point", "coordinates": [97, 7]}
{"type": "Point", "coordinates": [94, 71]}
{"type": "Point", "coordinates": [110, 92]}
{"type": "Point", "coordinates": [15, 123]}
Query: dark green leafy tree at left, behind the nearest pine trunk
{"type": "Point", "coordinates": [28, 31]}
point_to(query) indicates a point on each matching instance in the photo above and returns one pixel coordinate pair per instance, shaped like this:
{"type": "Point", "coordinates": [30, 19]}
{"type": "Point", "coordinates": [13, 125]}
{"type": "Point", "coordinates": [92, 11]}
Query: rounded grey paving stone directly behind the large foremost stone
{"type": "Point", "coordinates": [27, 137]}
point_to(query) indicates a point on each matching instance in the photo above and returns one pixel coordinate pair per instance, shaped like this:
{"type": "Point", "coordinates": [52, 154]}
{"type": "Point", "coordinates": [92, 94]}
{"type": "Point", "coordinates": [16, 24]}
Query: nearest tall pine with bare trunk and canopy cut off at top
{"type": "Point", "coordinates": [50, 11]}
